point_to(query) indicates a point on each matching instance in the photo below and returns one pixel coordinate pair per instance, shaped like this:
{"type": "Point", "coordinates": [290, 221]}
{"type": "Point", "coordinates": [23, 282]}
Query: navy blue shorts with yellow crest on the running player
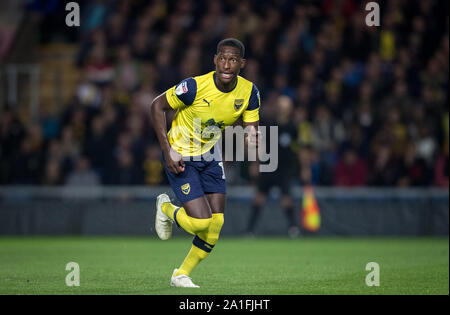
{"type": "Point", "coordinates": [199, 178]}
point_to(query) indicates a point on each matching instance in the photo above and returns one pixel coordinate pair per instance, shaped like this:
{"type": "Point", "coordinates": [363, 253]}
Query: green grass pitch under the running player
{"type": "Point", "coordinates": [236, 266]}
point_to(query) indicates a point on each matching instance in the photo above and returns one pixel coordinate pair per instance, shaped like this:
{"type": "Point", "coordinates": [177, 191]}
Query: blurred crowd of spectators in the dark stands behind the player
{"type": "Point", "coordinates": [369, 105]}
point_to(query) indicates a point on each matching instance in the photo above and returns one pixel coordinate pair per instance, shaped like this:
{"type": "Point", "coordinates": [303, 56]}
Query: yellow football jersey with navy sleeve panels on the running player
{"type": "Point", "coordinates": [204, 111]}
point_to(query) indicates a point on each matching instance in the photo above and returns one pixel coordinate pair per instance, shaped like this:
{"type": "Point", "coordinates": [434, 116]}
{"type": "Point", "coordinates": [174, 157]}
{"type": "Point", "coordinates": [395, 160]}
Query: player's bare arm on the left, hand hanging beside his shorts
{"type": "Point", "coordinates": [158, 110]}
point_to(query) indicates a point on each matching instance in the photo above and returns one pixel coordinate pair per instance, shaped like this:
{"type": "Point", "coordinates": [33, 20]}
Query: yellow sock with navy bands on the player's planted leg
{"type": "Point", "coordinates": [203, 243]}
